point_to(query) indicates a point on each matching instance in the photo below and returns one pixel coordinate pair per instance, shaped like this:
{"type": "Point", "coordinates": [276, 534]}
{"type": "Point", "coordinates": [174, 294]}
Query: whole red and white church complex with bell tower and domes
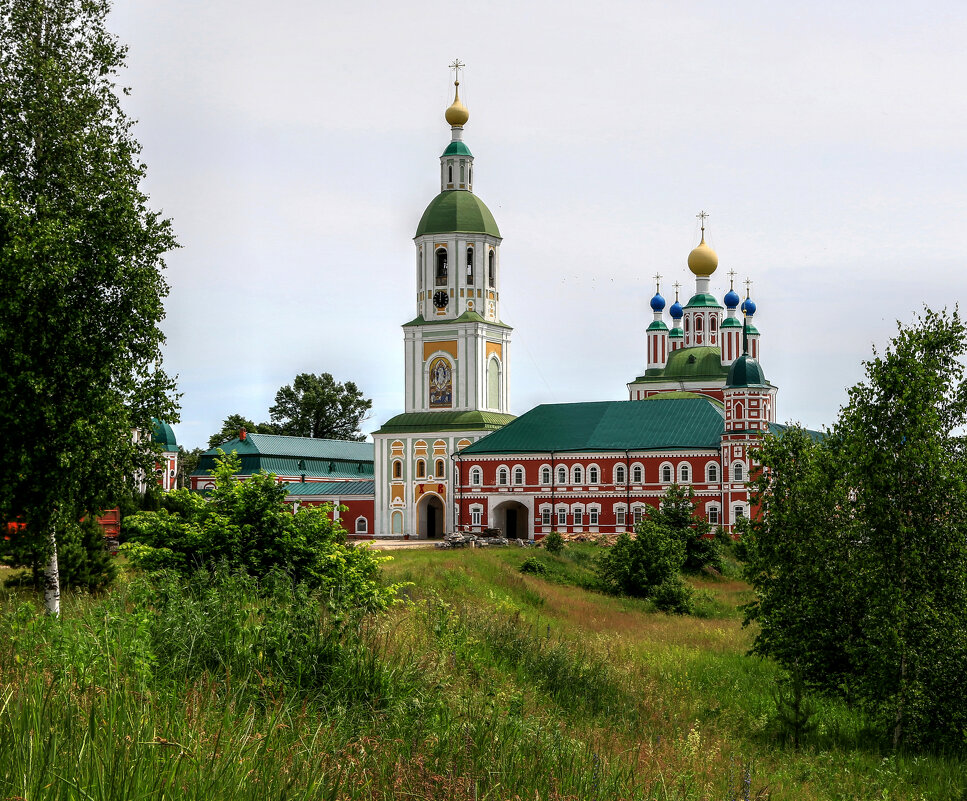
{"type": "Point", "coordinates": [457, 460]}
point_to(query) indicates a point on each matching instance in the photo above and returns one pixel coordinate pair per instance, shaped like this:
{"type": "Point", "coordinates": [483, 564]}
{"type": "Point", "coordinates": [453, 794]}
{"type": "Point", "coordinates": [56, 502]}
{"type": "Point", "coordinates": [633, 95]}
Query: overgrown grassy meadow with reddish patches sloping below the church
{"type": "Point", "coordinates": [485, 684]}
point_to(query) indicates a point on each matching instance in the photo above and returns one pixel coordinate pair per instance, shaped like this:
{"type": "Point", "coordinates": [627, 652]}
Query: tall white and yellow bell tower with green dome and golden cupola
{"type": "Point", "coordinates": [456, 350]}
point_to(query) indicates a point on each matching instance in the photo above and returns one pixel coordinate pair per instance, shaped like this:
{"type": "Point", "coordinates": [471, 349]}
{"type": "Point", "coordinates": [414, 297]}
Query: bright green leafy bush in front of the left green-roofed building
{"type": "Point", "coordinates": [246, 525]}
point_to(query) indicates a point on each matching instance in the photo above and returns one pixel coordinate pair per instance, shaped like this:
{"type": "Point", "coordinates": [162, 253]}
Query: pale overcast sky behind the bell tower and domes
{"type": "Point", "coordinates": [295, 146]}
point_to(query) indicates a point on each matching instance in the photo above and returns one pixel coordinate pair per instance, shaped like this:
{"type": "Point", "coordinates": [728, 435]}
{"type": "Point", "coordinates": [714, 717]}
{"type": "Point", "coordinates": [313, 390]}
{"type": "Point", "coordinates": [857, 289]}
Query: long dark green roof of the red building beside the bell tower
{"type": "Point", "coordinates": [609, 426]}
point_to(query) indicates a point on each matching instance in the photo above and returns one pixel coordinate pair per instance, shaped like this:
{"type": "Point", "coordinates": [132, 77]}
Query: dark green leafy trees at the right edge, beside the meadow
{"type": "Point", "coordinates": [859, 560]}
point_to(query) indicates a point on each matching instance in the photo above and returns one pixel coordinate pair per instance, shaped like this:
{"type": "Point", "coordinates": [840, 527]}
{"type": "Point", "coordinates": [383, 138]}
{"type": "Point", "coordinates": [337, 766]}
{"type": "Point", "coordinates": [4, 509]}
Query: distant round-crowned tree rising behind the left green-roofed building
{"type": "Point", "coordinates": [319, 406]}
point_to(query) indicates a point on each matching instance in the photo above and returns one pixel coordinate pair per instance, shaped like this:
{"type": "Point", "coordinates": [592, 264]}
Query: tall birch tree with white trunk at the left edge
{"type": "Point", "coordinates": [80, 274]}
